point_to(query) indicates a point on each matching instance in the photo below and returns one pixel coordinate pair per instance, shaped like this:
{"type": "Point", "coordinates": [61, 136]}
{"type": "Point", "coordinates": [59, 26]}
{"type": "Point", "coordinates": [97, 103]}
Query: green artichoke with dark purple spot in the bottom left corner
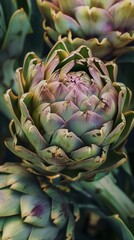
{"type": "Point", "coordinates": [31, 209]}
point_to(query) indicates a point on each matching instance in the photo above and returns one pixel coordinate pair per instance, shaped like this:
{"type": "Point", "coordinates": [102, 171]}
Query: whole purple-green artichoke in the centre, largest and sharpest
{"type": "Point", "coordinates": [70, 117]}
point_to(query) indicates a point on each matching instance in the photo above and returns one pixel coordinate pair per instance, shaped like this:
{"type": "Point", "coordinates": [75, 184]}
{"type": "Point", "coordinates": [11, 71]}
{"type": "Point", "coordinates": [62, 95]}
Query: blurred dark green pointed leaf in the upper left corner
{"type": "Point", "coordinates": [14, 26]}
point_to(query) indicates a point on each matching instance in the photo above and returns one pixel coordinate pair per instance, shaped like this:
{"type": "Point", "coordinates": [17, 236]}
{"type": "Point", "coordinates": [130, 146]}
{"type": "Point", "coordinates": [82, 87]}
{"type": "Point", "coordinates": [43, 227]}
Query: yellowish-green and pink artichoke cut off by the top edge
{"type": "Point", "coordinates": [107, 27]}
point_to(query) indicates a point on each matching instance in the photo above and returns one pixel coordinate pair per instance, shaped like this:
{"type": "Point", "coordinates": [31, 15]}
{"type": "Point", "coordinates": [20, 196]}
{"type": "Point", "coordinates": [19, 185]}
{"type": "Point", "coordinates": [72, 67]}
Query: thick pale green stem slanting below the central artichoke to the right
{"type": "Point", "coordinates": [110, 198]}
